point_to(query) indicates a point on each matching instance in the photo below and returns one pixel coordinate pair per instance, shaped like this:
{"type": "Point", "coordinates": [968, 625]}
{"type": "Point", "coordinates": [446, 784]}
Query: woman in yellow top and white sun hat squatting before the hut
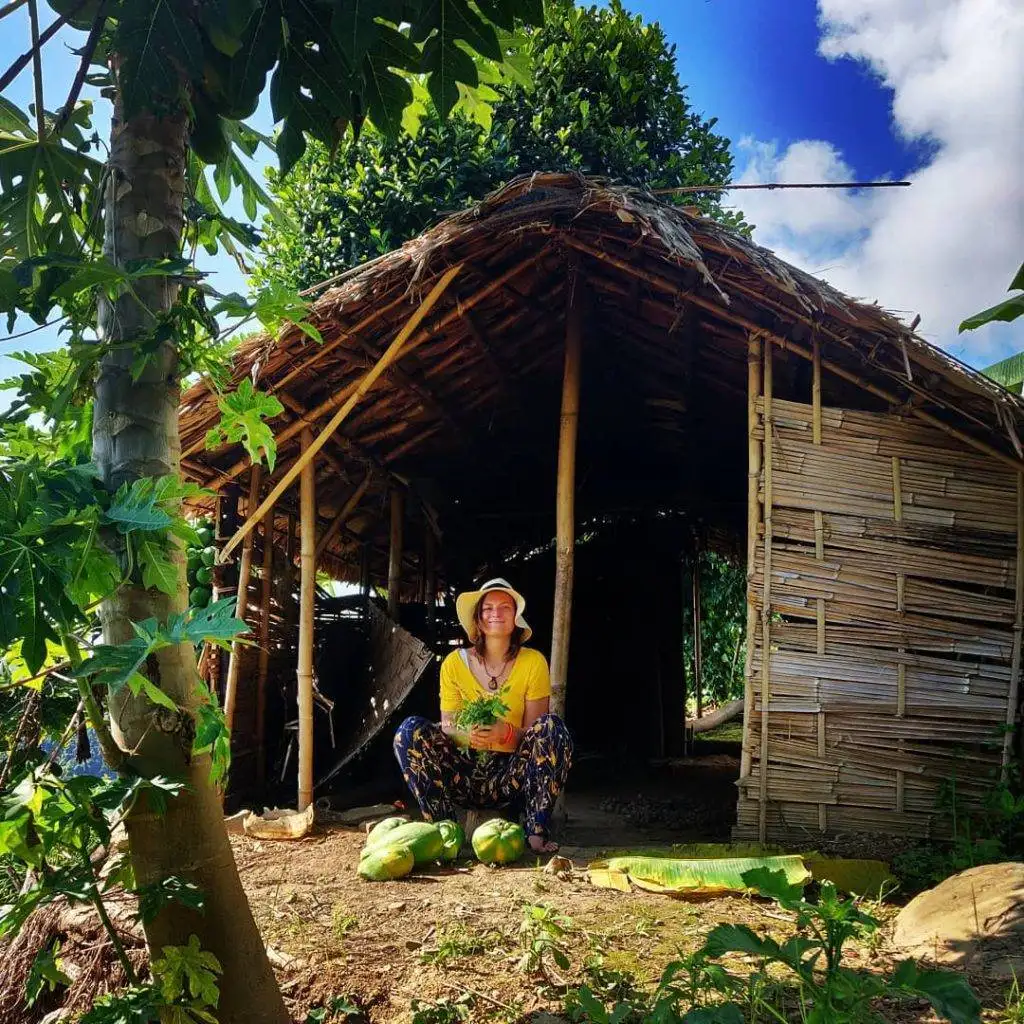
{"type": "Point", "coordinates": [531, 750]}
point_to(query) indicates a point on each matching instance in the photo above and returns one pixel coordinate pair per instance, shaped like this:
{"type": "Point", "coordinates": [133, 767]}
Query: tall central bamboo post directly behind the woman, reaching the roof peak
{"type": "Point", "coordinates": [566, 493]}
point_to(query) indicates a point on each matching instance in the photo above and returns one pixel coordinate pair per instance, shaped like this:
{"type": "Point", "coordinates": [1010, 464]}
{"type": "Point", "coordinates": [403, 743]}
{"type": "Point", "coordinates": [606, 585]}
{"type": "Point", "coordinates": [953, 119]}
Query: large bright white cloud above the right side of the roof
{"type": "Point", "coordinates": [949, 245]}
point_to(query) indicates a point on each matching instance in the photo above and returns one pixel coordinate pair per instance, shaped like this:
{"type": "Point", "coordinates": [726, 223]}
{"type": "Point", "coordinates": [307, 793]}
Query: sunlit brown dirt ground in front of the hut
{"type": "Point", "coordinates": [451, 933]}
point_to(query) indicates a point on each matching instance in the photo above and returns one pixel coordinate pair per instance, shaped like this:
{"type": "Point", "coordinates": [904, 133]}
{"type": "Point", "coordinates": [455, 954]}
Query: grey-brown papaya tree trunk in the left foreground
{"type": "Point", "coordinates": [136, 434]}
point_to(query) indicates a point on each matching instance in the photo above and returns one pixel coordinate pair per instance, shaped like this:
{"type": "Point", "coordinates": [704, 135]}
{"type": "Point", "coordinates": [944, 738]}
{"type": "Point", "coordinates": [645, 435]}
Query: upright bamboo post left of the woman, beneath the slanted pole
{"type": "Point", "coordinates": [308, 580]}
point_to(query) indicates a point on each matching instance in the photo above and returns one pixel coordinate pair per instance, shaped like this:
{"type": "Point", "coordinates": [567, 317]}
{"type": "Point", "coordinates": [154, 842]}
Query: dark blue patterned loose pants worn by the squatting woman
{"type": "Point", "coordinates": [444, 777]}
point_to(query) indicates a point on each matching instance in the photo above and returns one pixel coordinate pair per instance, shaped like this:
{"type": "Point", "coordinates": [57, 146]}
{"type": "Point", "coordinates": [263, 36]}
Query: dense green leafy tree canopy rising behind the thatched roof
{"type": "Point", "coordinates": [604, 98]}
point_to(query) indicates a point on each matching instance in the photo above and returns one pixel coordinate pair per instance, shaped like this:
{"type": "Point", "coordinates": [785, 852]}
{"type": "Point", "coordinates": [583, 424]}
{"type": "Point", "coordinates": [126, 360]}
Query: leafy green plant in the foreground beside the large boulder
{"type": "Point", "coordinates": [828, 992]}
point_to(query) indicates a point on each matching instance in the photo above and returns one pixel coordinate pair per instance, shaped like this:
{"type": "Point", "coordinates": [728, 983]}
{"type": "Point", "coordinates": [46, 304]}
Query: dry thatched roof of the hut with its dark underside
{"type": "Point", "coordinates": [467, 420]}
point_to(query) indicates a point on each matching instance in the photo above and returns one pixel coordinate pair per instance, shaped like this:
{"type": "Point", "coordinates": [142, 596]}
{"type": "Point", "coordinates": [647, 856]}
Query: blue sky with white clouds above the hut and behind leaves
{"type": "Point", "coordinates": [839, 91]}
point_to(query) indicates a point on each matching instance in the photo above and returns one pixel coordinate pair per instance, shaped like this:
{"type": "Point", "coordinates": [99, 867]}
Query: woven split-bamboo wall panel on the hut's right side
{"type": "Point", "coordinates": [884, 585]}
